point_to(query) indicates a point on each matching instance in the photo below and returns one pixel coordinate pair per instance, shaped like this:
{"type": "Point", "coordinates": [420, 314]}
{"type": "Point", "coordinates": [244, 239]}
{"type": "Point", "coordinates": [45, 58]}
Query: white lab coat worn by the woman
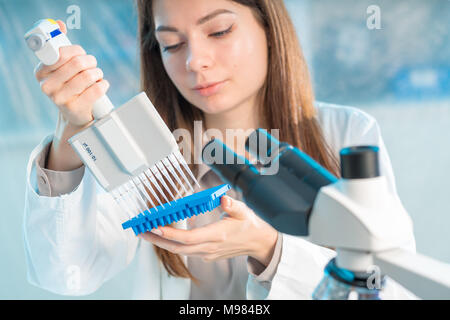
{"type": "Point", "coordinates": [75, 242]}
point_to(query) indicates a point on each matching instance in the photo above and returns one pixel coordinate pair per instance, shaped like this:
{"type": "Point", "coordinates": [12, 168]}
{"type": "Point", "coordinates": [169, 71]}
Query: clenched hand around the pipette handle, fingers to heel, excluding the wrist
{"type": "Point", "coordinates": [74, 83]}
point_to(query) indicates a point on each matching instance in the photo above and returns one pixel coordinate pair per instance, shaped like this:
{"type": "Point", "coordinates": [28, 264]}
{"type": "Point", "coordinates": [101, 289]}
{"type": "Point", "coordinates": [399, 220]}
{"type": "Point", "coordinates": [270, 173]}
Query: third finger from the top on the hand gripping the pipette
{"type": "Point", "coordinates": [78, 85]}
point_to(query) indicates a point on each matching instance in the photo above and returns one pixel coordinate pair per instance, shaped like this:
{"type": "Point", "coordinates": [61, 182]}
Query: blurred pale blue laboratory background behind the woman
{"type": "Point", "coordinates": [388, 58]}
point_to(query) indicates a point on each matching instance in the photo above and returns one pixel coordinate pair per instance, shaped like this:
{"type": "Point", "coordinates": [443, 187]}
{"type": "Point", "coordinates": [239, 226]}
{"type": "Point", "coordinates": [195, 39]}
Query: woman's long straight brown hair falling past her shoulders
{"type": "Point", "coordinates": [287, 97]}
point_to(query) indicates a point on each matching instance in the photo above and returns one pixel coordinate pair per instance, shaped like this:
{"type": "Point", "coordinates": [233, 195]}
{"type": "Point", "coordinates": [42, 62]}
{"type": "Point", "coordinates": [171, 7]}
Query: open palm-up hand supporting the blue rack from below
{"type": "Point", "coordinates": [241, 232]}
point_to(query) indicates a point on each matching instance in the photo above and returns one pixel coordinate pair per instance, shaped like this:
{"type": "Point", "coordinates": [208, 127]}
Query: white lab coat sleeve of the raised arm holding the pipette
{"type": "Point", "coordinates": [73, 242]}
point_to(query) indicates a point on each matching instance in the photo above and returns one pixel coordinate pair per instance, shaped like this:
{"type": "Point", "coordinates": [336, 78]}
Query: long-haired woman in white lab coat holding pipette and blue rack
{"type": "Point", "coordinates": [232, 65]}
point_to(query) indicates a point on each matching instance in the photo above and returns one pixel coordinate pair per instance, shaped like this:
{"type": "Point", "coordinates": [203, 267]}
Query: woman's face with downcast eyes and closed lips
{"type": "Point", "coordinates": [214, 51]}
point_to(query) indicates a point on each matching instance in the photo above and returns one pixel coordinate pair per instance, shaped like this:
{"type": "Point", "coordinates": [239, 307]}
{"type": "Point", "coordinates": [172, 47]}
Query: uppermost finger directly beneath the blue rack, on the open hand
{"type": "Point", "coordinates": [210, 233]}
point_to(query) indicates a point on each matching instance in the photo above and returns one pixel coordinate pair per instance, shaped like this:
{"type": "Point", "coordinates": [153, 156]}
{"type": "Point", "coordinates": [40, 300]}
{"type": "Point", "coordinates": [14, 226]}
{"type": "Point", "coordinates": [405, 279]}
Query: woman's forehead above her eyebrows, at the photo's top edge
{"type": "Point", "coordinates": [177, 12]}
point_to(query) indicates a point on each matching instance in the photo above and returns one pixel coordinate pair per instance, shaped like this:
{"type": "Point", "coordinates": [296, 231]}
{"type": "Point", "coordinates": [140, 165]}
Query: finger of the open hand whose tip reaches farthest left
{"type": "Point", "coordinates": [180, 248]}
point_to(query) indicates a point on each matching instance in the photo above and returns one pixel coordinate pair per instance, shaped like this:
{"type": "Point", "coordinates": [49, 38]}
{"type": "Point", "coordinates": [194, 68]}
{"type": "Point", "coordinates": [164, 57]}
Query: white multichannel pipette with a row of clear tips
{"type": "Point", "coordinates": [129, 150]}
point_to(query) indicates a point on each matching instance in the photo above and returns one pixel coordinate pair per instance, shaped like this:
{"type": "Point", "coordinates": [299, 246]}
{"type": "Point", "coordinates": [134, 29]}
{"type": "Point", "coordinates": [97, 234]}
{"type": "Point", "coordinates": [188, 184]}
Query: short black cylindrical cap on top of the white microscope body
{"type": "Point", "coordinates": [359, 162]}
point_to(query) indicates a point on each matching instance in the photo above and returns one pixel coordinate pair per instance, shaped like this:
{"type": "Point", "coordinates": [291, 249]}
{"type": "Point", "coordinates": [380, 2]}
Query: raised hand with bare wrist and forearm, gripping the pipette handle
{"type": "Point", "coordinates": [74, 84]}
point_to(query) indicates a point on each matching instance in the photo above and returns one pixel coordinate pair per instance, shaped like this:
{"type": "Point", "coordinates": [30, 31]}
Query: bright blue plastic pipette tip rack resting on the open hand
{"type": "Point", "coordinates": [192, 205]}
